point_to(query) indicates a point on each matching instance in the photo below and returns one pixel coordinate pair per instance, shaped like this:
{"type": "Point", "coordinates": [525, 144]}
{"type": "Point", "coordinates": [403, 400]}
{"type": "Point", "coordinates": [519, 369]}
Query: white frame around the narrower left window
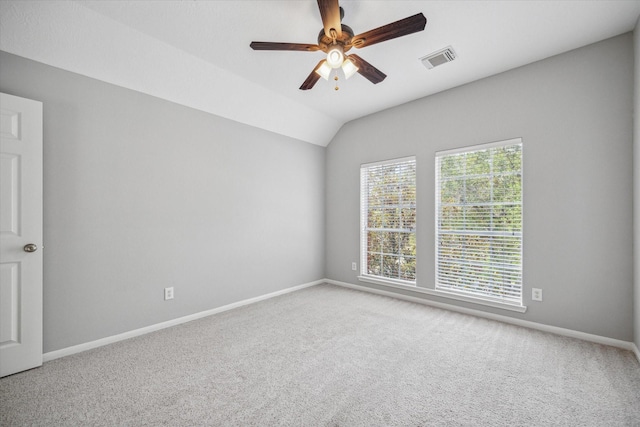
{"type": "Point", "coordinates": [364, 208]}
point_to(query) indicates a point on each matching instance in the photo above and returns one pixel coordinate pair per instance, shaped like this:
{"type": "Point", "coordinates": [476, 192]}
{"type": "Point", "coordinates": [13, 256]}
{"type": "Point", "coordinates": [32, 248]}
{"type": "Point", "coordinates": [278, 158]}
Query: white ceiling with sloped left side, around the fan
{"type": "Point", "coordinates": [196, 53]}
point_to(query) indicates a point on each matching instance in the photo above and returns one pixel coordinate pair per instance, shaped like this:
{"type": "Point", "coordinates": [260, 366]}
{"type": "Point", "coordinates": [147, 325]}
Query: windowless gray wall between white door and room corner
{"type": "Point", "coordinates": [141, 194]}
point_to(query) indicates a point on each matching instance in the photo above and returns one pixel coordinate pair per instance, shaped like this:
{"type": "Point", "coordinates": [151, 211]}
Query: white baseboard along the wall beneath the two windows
{"type": "Point", "coordinates": [518, 322]}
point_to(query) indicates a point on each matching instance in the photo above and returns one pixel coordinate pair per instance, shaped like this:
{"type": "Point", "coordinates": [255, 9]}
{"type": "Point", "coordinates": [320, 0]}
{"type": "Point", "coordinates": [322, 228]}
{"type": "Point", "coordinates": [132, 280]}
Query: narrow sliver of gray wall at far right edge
{"type": "Point", "coordinates": [636, 187]}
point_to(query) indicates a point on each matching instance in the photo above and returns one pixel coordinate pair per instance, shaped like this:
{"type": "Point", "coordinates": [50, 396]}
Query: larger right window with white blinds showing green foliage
{"type": "Point", "coordinates": [479, 221]}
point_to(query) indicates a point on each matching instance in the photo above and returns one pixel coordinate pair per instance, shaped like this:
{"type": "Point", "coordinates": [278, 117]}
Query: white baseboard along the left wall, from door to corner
{"type": "Point", "coordinates": [52, 355]}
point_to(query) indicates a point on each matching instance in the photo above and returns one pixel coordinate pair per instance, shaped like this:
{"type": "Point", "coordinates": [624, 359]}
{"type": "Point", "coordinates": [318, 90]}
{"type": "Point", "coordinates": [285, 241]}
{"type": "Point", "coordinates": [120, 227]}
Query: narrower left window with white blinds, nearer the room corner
{"type": "Point", "coordinates": [388, 220]}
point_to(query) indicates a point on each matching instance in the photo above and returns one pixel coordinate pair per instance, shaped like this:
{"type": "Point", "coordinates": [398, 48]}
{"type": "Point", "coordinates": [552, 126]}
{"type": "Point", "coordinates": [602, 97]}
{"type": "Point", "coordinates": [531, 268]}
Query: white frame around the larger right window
{"type": "Point", "coordinates": [495, 301]}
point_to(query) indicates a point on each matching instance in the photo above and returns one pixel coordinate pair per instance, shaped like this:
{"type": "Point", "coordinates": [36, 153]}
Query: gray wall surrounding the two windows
{"type": "Point", "coordinates": [574, 113]}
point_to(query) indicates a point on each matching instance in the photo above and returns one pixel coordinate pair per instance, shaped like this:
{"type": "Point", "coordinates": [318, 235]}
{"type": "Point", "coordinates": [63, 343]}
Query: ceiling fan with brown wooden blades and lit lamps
{"type": "Point", "coordinates": [335, 39]}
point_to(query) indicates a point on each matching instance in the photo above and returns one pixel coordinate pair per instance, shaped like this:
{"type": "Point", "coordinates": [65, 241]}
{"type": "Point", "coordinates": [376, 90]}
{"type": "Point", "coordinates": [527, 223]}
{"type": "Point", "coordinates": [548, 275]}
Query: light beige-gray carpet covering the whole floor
{"type": "Point", "coordinates": [328, 356]}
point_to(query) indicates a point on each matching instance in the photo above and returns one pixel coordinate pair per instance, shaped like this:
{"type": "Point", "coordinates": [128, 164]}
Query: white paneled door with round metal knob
{"type": "Point", "coordinates": [20, 234]}
